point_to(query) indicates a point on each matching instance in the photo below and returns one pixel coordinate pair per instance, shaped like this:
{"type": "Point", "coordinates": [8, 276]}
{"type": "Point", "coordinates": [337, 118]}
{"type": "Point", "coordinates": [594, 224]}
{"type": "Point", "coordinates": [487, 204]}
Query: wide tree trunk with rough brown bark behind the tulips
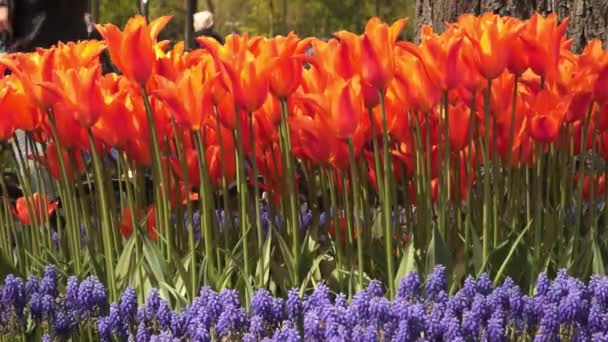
{"type": "Point", "coordinates": [588, 18]}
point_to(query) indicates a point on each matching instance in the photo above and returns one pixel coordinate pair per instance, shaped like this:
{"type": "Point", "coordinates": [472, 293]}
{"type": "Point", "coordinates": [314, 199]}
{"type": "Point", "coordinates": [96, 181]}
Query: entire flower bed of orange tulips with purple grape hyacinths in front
{"type": "Point", "coordinates": [293, 189]}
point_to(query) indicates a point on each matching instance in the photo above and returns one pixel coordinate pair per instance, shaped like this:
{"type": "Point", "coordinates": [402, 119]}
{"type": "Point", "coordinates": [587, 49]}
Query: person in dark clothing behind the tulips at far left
{"type": "Point", "coordinates": [32, 24]}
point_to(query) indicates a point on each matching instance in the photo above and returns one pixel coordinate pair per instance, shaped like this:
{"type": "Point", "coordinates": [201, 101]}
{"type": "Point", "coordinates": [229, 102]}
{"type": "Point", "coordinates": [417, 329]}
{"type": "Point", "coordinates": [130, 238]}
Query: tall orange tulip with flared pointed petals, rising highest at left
{"type": "Point", "coordinates": [132, 50]}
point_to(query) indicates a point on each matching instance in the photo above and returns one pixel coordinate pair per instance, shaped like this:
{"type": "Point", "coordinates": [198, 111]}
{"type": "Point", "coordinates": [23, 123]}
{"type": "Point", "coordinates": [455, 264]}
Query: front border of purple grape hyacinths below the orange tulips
{"type": "Point", "coordinates": [565, 309]}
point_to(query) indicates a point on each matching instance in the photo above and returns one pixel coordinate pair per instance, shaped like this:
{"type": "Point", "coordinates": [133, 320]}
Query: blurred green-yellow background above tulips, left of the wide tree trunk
{"type": "Point", "coordinates": [318, 18]}
